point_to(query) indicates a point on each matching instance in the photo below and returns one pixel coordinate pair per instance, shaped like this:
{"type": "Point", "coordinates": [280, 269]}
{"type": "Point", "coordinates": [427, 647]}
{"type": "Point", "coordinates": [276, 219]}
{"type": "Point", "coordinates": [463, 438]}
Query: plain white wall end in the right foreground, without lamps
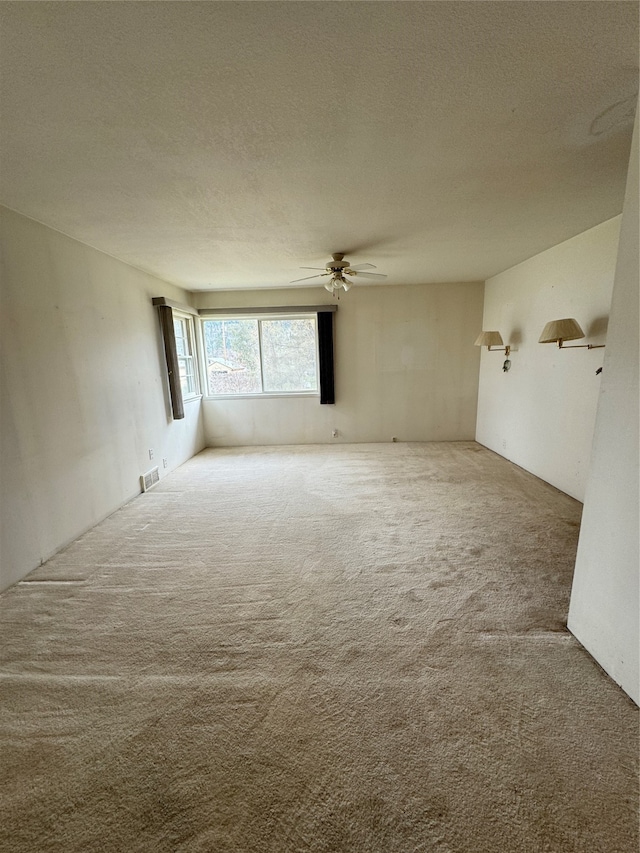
{"type": "Point", "coordinates": [604, 601]}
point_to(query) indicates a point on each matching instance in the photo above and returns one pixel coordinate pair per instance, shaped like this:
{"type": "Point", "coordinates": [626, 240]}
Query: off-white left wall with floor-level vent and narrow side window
{"type": "Point", "coordinates": [83, 394]}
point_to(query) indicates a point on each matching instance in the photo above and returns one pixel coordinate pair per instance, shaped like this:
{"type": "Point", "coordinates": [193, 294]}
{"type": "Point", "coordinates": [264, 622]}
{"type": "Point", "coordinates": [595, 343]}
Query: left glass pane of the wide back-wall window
{"type": "Point", "coordinates": [233, 356]}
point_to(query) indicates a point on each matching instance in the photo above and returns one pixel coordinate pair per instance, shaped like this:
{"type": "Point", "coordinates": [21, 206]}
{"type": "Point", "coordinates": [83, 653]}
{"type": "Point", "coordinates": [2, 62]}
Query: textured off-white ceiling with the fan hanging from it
{"type": "Point", "coordinates": [226, 144]}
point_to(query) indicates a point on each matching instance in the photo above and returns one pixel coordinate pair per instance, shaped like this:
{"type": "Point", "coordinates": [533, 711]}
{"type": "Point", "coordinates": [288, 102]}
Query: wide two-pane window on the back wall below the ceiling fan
{"type": "Point", "coordinates": [270, 355]}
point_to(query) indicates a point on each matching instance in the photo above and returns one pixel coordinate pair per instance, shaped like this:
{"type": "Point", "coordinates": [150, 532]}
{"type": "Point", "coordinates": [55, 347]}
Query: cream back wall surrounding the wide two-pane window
{"type": "Point", "coordinates": [405, 367]}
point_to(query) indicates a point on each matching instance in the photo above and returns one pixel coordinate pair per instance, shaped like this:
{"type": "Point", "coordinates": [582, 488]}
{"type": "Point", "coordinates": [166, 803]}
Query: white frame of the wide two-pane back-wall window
{"type": "Point", "coordinates": [258, 316]}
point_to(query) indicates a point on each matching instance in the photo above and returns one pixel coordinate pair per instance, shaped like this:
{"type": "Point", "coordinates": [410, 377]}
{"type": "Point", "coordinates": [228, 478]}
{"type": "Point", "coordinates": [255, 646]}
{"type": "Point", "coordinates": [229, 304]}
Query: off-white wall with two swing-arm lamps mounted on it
{"type": "Point", "coordinates": [541, 413]}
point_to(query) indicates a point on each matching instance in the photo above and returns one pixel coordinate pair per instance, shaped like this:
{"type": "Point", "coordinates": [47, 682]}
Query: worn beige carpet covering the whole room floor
{"type": "Point", "coordinates": [356, 648]}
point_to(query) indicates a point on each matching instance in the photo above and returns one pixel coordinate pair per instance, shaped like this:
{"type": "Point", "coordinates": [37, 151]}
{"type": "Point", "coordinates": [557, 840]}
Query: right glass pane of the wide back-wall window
{"type": "Point", "coordinates": [289, 355]}
